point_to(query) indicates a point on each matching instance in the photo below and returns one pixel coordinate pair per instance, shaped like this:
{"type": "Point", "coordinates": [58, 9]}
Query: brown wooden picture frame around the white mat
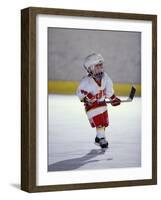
{"type": "Point", "coordinates": [28, 98]}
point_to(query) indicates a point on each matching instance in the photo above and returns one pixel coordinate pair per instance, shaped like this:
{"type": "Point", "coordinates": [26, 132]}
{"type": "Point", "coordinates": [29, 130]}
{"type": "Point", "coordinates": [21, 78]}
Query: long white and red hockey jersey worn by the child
{"type": "Point", "coordinates": [97, 94]}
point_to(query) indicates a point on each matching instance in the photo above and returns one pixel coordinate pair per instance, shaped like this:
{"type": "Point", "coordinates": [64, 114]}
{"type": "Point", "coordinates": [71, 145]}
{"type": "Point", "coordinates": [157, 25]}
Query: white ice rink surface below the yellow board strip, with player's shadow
{"type": "Point", "coordinates": [71, 138]}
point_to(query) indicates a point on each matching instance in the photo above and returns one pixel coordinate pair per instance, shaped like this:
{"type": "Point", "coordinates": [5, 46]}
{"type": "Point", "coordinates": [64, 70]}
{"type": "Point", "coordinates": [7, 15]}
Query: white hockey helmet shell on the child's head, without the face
{"type": "Point", "coordinates": [92, 60]}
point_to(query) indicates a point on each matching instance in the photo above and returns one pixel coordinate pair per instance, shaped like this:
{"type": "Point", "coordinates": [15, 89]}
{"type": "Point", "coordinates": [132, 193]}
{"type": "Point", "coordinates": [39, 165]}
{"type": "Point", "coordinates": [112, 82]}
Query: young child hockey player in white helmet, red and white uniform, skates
{"type": "Point", "coordinates": [92, 91]}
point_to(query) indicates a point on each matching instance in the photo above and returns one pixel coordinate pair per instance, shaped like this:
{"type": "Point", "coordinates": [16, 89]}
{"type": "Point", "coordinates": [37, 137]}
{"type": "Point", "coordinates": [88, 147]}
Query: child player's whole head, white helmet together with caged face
{"type": "Point", "coordinates": [94, 65]}
